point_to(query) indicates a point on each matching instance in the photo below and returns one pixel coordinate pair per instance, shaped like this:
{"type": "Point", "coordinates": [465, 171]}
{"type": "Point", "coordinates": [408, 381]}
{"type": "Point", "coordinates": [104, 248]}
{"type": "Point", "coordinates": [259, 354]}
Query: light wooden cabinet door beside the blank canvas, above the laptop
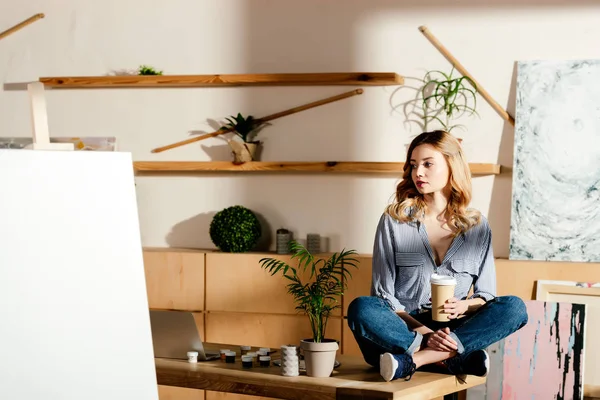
{"type": "Point", "coordinates": [175, 280]}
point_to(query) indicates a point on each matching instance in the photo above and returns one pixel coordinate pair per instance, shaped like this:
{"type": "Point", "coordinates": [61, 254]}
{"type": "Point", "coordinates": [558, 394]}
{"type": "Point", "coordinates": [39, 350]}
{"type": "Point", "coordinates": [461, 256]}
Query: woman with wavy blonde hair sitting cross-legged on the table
{"type": "Point", "coordinates": [429, 229]}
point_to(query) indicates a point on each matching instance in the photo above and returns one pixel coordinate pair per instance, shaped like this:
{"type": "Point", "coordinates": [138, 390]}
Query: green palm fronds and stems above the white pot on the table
{"type": "Point", "coordinates": [328, 279]}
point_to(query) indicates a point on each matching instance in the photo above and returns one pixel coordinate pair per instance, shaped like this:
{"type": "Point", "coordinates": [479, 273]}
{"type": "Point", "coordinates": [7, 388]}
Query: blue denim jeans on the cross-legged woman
{"type": "Point", "coordinates": [378, 329]}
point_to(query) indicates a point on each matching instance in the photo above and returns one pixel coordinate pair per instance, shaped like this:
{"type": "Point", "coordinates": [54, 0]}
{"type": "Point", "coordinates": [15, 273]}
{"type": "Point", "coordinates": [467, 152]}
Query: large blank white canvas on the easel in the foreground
{"type": "Point", "coordinates": [74, 322]}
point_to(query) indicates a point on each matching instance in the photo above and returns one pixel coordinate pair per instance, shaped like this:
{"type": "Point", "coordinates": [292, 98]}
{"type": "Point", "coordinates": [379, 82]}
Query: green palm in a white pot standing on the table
{"type": "Point", "coordinates": [316, 298]}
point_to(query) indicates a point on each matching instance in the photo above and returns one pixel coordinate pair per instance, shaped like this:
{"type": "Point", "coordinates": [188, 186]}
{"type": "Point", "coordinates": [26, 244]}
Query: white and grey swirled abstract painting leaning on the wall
{"type": "Point", "coordinates": [556, 177]}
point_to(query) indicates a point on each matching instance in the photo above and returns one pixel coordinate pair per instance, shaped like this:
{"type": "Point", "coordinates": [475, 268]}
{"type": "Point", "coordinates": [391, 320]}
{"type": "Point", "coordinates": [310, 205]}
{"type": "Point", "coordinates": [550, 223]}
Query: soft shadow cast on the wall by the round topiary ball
{"type": "Point", "coordinates": [195, 233]}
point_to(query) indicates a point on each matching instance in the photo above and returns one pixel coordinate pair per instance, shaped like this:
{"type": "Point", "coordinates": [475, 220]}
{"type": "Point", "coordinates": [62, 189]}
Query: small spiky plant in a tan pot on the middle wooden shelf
{"type": "Point", "coordinates": [246, 128]}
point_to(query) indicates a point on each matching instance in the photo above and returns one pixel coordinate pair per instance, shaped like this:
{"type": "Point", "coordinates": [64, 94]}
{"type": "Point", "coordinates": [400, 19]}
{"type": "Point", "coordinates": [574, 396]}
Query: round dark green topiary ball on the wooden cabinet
{"type": "Point", "coordinates": [235, 230]}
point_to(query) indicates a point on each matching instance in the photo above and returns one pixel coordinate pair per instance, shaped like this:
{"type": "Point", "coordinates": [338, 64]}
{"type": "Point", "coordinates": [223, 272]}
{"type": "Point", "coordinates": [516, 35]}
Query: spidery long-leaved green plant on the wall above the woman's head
{"type": "Point", "coordinates": [446, 98]}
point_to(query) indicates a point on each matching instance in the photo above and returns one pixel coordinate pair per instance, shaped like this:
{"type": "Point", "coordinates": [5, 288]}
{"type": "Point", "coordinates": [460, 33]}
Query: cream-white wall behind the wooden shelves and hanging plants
{"type": "Point", "coordinates": [86, 37]}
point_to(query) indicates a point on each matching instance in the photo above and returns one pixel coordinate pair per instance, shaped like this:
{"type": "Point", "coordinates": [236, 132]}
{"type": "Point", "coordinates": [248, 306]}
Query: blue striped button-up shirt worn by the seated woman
{"type": "Point", "coordinates": [403, 262]}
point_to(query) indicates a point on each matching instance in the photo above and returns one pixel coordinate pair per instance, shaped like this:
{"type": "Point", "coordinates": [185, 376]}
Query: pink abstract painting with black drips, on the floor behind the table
{"type": "Point", "coordinates": [543, 360]}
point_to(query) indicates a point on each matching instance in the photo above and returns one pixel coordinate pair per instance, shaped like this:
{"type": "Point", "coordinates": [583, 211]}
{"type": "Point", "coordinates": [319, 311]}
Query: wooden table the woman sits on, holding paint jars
{"type": "Point", "coordinates": [352, 380]}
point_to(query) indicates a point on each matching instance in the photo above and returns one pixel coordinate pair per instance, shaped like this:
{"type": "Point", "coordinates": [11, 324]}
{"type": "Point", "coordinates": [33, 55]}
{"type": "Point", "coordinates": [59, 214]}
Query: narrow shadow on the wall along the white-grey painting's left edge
{"type": "Point", "coordinates": [501, 202]}
